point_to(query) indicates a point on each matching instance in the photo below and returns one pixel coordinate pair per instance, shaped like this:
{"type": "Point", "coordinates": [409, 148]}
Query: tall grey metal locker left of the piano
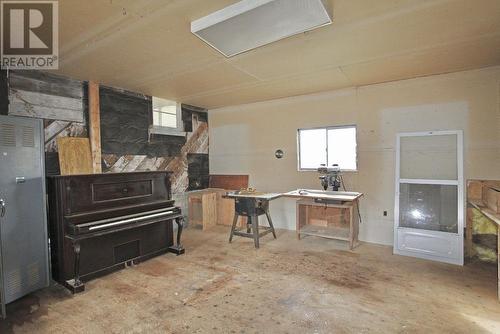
{"type": "Point", "coordinates": [24, 265]}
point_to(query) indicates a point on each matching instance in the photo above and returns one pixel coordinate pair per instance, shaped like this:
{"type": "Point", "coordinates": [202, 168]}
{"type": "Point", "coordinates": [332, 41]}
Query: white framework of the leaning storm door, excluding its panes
{"type": "Point", "coordinates": [459, 182]}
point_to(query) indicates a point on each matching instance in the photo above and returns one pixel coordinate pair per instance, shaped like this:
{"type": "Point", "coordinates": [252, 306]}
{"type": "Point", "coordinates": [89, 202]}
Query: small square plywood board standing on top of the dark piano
{"type": "Point", "coordinates": [74, 155]}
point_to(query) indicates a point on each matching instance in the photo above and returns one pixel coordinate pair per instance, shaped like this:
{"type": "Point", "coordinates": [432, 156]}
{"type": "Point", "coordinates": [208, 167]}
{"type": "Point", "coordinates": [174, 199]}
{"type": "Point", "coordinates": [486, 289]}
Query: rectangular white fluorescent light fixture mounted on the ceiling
{"type": "Point", "coordinates": [249, 24]}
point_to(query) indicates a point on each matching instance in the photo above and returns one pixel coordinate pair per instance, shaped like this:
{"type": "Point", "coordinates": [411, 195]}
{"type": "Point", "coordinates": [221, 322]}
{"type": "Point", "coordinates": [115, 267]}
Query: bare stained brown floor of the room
{"type": "Point", "coordinates": [287, 286]}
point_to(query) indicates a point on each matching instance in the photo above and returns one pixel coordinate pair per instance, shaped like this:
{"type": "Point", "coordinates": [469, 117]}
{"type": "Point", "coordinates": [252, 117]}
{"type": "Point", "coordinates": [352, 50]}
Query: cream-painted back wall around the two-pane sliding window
{"type": "Point", "coordinates": [243, 138]}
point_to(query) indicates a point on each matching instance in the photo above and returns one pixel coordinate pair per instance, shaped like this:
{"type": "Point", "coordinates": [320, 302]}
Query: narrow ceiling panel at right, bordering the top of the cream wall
{"type": "Point", "coordinates": [440, 60]}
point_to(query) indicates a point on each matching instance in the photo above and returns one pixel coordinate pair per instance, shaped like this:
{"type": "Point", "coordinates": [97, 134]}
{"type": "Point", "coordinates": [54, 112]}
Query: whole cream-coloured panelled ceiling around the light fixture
{"type": "Point", "coordinates": [146, 46]}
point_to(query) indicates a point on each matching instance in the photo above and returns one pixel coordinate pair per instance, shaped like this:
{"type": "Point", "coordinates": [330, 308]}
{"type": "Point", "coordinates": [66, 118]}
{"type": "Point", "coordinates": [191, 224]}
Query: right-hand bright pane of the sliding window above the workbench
{"type": "Point", "coordinates": [342, 147]}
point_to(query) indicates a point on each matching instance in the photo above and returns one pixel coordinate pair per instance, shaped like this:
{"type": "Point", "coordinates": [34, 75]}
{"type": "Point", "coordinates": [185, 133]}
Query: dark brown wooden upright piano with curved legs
{"type": "Point", "coordinates": [100, 223]}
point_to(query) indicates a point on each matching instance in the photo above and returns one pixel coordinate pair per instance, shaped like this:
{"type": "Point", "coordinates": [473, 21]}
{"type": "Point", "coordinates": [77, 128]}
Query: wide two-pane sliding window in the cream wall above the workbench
{"type": "Point", "coordinates": [327, 146]}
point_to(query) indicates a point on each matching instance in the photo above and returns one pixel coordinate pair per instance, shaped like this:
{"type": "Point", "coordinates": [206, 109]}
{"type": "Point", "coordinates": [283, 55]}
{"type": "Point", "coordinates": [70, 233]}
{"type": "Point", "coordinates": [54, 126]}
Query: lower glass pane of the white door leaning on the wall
{"type": "Point", "coordinates": [428, 207]}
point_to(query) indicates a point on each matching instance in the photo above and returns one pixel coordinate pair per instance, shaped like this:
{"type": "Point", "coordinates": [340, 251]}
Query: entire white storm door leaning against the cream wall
{"type": "Point", "coordinates": [429, 201]}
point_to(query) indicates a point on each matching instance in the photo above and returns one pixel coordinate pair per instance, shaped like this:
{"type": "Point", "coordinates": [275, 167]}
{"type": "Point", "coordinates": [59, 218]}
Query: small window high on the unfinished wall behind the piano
{"type": "Point", "coordinates": [166, 117]}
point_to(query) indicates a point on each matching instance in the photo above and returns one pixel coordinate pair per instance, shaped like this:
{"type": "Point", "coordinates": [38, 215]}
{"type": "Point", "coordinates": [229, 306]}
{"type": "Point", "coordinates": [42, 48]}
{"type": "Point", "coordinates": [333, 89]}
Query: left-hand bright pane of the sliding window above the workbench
{"type": "Point", "coordinates": [312, 146]}
